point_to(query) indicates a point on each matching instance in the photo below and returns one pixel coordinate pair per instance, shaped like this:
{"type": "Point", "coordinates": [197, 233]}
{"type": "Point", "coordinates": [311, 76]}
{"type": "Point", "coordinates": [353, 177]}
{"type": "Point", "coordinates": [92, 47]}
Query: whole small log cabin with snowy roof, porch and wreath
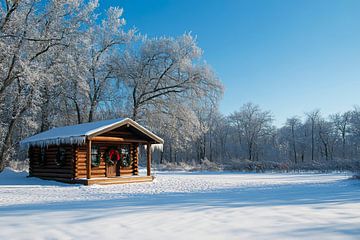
{"type": "Point", "coordinates": [103, 152]}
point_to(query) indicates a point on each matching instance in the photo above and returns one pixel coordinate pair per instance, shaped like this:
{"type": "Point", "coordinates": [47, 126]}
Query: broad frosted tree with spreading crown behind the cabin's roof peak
{"type": "Point", "coordinates": [155, 71]}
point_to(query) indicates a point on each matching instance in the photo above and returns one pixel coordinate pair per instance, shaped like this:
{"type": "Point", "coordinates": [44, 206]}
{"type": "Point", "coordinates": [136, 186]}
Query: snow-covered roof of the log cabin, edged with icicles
{"type": "Point", "coordinates": [76, 134]}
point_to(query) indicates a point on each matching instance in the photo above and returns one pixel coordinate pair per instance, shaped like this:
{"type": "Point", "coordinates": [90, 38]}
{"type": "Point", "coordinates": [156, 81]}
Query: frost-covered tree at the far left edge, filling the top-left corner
{"type": "Point", "coordinates": [32, 34]}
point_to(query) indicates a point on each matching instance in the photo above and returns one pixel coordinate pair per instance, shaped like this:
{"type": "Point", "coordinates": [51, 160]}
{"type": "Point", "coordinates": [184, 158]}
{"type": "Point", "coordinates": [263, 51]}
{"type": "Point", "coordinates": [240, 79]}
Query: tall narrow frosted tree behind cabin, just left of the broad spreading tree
{"type": "Point", "coordinates": [103, 41]}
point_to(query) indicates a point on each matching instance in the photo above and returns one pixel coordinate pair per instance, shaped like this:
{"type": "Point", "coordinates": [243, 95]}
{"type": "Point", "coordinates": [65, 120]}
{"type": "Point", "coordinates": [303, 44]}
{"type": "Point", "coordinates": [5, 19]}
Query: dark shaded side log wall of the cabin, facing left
{"type": "Point", "coordinates": [50, 168]}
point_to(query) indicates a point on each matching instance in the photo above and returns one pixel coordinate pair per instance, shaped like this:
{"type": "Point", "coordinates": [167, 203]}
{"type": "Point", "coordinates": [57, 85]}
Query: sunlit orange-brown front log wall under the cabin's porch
{"type": "Point", "coordinates": [100, 171]}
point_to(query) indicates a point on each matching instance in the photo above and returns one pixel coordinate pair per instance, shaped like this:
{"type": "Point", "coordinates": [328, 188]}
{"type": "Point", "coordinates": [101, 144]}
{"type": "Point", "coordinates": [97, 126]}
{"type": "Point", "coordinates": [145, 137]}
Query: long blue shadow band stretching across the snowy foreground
{"type": "Point", "coordinates": [338, 192]}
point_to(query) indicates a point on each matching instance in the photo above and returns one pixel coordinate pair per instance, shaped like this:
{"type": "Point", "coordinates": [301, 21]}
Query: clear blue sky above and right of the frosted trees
{"type": "Point", "coordinates": [288, 56]}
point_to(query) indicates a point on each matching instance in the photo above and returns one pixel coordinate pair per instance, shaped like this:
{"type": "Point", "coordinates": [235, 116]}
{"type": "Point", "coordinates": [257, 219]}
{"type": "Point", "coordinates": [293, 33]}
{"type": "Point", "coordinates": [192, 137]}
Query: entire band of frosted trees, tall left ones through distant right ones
{"type": "Point", "coordinates": [61, 63]}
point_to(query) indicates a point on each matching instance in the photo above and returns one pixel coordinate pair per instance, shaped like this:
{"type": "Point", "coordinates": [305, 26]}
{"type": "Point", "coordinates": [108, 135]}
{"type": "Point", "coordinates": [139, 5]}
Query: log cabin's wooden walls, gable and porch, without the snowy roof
{"type": "Point", "coordinates": [89, 162]}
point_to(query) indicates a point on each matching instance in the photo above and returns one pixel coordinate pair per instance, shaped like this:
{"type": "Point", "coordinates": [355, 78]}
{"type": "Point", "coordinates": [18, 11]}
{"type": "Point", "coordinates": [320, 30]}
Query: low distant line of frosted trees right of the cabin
{"type": "Point", "coordinates": [247, 139]}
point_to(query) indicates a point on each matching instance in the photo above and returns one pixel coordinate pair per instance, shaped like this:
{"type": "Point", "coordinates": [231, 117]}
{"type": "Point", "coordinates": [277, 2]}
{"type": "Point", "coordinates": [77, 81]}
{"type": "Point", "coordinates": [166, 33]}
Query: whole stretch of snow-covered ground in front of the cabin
{"type": "Point", "coordinates": [183, 206]}
